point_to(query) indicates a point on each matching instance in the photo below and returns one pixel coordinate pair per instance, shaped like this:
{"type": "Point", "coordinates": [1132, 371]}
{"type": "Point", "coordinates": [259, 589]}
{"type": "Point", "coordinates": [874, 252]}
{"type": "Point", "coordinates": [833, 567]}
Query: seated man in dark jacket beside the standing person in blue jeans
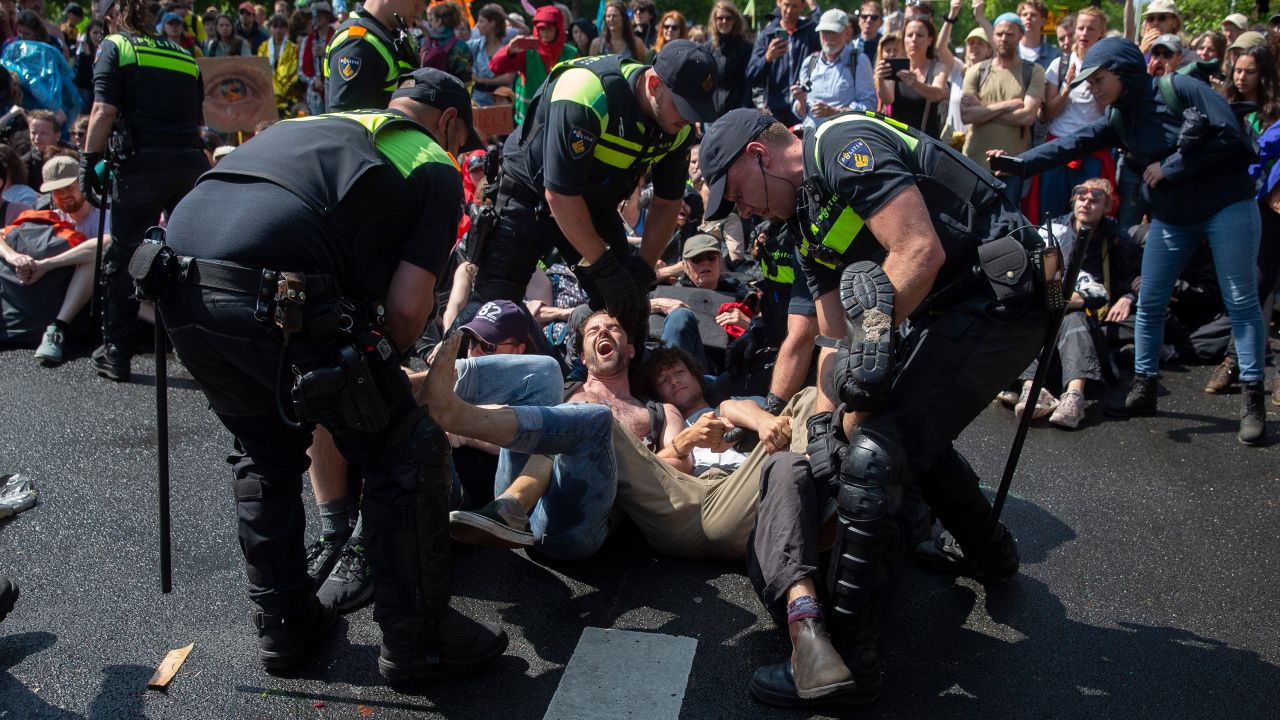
{"type": "Point", "coordinates": [1103, 294]}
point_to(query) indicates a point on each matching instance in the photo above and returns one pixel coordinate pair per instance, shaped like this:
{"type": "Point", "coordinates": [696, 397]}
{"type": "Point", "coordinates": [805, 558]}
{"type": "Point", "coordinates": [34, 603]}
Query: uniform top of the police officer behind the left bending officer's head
{"type": "Point", "coordinates": [360, 78]}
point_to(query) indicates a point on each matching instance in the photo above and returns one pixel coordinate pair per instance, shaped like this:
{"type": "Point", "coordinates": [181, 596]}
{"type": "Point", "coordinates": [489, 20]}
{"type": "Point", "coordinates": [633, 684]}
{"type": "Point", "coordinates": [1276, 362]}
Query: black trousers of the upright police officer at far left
{"type": "Point", "coordinates": [147, 185]}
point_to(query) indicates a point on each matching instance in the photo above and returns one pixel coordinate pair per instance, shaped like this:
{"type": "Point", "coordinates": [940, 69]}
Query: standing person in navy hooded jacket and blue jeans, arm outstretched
{"type": "Point", "coordinates": [1195, 160]}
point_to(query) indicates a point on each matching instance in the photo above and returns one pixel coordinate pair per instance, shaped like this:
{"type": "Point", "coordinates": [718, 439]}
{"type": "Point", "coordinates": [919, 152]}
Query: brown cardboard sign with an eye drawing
{"type": "Point", "coordinates": [239, 93]}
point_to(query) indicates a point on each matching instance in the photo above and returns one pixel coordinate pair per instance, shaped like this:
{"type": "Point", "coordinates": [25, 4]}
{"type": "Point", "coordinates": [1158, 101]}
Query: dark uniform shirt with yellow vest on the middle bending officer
{"type": "Point", "coordinates": [569, 161]}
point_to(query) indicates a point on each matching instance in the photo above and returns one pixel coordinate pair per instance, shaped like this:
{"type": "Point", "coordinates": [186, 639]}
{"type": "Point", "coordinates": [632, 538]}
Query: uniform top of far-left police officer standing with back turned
{"type": "Point", "coordinates": [157, 86]}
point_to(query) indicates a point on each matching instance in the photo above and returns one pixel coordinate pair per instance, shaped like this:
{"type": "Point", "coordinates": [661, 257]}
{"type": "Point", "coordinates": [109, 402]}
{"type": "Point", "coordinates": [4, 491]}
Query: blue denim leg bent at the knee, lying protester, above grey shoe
{"type": "Point", "coordinates": [573, 520]}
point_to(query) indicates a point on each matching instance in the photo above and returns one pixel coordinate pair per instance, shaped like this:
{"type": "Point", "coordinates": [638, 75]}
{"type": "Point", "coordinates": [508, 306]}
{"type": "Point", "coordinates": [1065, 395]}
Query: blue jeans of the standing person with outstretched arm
{"type": "Point", "coordinates": [1233, 236]}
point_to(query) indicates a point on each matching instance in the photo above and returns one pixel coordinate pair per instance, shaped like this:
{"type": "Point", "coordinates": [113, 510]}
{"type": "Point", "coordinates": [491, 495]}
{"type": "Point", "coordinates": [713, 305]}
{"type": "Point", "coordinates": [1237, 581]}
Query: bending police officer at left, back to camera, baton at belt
{"type": "Point", "coordinates": [322, 282]}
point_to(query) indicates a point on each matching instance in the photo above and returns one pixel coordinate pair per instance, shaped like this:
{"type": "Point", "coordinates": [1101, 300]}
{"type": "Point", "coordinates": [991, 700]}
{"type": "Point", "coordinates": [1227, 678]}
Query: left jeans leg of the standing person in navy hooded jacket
{"type": "Point", "coordinates": [1167, 253]}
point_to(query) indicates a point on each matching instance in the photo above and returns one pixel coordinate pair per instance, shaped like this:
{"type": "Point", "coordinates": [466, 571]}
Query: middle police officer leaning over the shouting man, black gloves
{"type": "Point", "coordinates": [597, 127]}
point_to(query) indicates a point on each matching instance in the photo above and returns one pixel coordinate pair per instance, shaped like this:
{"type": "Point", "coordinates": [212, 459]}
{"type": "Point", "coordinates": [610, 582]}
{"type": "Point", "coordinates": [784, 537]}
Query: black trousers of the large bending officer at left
{"type": "Point", "coordinates": [236, 359]}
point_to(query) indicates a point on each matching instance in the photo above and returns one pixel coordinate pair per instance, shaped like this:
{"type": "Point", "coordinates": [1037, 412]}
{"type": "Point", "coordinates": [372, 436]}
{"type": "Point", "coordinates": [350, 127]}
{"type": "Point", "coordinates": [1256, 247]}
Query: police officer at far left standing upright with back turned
{"type": "Point", "coordinates": [148, 107]}
